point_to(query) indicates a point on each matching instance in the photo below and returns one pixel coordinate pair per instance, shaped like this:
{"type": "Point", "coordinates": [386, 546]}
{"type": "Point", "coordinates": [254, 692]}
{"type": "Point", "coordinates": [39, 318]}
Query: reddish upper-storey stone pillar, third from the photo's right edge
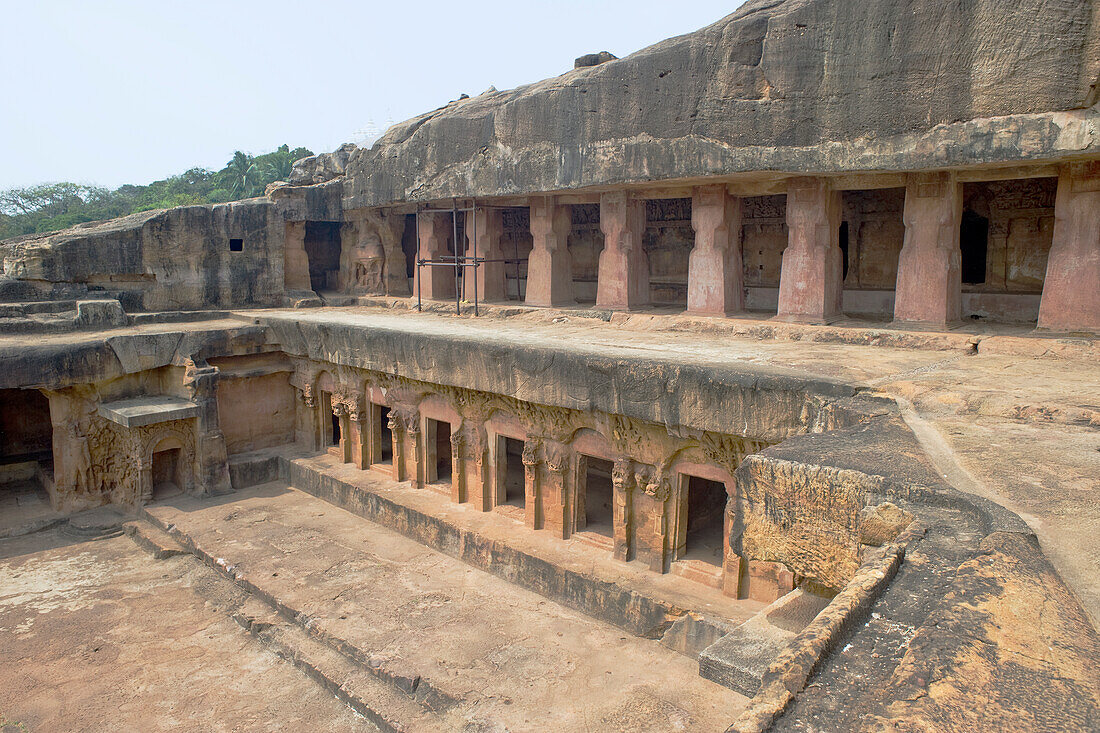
{"type": "Point", "coordinates": [810, 282]}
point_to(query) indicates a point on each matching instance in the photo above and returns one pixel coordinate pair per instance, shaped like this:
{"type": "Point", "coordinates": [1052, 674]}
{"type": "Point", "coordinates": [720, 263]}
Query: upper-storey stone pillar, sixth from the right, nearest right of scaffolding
{"type": "Point", "coordinates": [551, 266]}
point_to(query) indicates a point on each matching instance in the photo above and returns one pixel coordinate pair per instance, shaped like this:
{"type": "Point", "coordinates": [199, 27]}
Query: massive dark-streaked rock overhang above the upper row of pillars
{"type": "Point", "coordinates": [796, 86]}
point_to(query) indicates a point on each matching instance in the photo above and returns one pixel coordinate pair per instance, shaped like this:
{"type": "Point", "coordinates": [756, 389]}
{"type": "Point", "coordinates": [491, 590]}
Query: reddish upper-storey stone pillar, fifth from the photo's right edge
{"type": "Point", "coordinates": [624, 267]}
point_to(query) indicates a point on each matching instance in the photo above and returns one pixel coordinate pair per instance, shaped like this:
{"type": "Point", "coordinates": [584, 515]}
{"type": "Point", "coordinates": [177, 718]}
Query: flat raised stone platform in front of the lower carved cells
{"type": "Point", "coordinates": [474, 649]}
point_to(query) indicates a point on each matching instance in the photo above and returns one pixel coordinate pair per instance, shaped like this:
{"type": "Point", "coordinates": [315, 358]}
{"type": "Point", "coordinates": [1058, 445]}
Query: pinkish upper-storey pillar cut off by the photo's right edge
{"type": "Point", "coordinates": [1072, 289]}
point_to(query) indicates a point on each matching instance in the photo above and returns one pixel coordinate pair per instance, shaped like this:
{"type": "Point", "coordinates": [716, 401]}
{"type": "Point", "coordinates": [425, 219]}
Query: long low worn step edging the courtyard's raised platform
{"type": "Point", "coordinates": [404, 701]}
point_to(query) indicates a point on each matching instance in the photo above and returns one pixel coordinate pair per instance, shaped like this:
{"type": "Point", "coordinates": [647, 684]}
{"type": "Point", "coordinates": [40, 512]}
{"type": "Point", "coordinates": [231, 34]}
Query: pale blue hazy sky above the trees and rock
{"type": "Point", "coordinates": [109, 93]}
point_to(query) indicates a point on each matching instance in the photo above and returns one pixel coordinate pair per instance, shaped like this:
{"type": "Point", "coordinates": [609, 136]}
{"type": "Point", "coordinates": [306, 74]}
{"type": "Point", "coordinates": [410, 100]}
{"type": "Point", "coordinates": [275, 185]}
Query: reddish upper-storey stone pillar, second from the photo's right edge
{"type": "Point", "coordinates": [930, 281]}
